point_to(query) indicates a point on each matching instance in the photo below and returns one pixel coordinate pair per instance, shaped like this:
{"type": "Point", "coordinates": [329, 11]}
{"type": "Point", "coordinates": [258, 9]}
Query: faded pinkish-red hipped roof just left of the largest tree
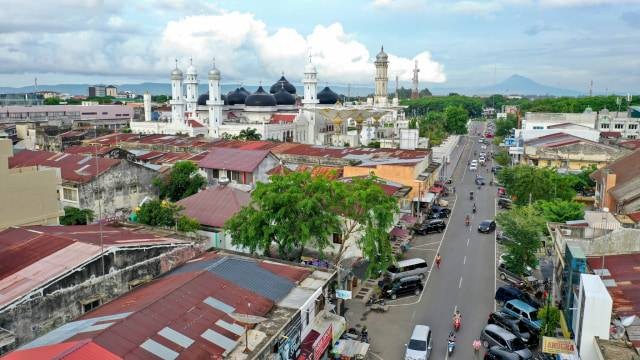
{"type": "Point", "coordinates": [215, 205]}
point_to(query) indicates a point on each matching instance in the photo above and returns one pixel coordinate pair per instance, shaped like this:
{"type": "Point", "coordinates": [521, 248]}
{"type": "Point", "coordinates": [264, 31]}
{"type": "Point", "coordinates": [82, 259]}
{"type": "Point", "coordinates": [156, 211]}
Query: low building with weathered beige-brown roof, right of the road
{"type": "Point", "coordinates": [568, 153]}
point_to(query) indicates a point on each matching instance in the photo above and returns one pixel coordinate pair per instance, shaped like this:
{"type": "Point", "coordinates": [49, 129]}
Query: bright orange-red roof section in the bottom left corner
{"type": "Point", "coordinates": [73, 350]}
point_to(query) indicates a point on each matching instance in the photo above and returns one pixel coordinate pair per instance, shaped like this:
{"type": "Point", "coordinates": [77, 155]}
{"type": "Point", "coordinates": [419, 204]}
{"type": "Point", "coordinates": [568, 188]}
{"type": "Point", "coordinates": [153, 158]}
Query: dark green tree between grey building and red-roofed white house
{"type": "Point", "coordinates": [184, 180]}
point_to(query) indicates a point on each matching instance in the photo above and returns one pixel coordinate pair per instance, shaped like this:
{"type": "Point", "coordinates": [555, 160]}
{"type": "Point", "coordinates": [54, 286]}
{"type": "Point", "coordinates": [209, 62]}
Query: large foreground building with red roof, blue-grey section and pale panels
{"type": "Point", "coordinates": [221, 306]}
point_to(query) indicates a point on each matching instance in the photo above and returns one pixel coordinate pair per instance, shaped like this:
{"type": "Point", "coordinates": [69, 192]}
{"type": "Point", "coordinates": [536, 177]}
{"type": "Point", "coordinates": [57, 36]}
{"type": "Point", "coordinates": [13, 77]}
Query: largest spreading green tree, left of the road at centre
{"type": "Point", "coordinates": [298, 210]}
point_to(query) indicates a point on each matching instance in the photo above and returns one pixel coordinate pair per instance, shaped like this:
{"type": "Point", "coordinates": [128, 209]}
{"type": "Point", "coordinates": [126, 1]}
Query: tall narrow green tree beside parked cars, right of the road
{"type": "Point", "coordinates": [524, 225]}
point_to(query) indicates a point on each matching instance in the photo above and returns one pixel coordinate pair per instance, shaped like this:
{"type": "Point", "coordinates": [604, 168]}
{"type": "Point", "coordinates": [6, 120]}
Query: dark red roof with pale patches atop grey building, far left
{"type": "Point", "coordinates": [73, 167]}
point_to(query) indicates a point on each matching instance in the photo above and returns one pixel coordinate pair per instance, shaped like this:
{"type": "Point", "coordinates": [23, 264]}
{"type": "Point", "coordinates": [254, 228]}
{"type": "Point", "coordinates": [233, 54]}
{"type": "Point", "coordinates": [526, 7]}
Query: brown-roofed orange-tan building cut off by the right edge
{"type": "Point", "coordinates": [618, 185]}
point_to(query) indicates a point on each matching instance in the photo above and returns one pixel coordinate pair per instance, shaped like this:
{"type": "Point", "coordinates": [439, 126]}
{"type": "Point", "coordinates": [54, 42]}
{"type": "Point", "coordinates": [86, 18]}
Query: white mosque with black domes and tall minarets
{"type": "Point", "coordinates": [279, 113]}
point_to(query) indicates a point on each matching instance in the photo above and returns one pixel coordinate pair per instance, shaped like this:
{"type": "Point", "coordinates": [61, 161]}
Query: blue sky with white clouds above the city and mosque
{"type": "Point", "coordinates": [457, 43]}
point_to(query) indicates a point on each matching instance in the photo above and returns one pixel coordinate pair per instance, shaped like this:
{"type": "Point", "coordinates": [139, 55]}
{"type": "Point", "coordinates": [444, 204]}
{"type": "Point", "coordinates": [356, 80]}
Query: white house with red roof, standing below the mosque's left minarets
{"type": "Point", "coordinates": [239, 166]}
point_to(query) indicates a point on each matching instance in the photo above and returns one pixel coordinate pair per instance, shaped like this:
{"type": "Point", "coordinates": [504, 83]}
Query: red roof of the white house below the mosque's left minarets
{"type": "Point", "coordinates": [233, 159]}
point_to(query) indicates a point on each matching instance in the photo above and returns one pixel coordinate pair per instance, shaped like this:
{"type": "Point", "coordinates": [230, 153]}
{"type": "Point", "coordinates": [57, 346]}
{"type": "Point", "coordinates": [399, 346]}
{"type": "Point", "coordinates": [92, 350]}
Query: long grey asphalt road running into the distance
{"type": "Point", "coordinates": [465, 281]}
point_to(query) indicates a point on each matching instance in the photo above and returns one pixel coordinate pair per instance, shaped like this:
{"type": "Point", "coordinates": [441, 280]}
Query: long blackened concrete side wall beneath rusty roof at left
{"type": "Point", "coordinates": [42, 314]}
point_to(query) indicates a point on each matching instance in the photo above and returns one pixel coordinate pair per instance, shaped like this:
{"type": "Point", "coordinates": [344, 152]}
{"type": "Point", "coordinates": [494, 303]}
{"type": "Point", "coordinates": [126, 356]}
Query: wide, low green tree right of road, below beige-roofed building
{"type": "Point", "coordinates": [525, 183]}
